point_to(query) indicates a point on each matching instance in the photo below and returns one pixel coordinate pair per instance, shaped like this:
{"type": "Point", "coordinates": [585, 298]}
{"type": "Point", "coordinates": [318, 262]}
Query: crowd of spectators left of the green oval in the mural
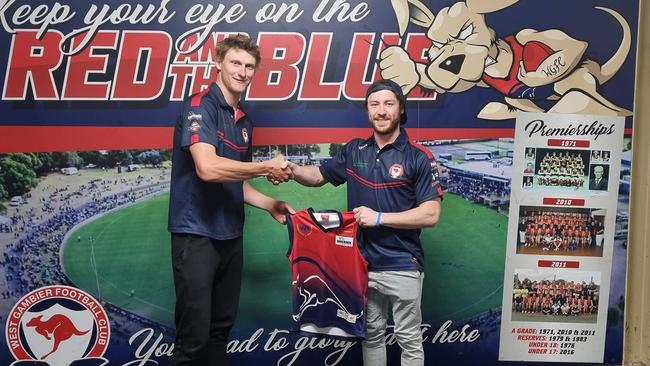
{"type": "Point", "coordinates": [32, 260]}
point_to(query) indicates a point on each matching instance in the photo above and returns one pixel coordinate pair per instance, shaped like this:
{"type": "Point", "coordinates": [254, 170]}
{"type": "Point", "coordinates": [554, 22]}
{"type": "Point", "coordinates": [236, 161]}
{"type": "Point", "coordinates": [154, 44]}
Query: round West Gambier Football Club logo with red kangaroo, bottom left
{"type": "Point", "coordinates": [58, 325]}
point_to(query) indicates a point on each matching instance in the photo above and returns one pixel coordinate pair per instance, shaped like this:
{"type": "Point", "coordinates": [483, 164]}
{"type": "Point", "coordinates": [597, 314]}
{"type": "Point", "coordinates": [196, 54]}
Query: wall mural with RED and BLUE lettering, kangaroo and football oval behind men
{"type": "Point", "coordinates": [90, 92]}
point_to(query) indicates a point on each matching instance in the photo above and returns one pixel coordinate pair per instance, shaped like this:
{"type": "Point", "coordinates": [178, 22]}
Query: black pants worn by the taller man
{"type": "Point", "coordinates": [207, 278]}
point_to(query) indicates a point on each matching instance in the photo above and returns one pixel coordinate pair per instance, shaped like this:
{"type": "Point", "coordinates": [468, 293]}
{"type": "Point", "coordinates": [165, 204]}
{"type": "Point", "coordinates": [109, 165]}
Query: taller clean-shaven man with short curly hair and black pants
{"type": "Point", "coordinates": [211, 162]}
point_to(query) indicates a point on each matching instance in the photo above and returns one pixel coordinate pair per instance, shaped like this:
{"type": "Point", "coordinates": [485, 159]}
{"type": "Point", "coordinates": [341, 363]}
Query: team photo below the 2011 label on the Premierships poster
{"type": "Point", "coordinates": [555, 297]}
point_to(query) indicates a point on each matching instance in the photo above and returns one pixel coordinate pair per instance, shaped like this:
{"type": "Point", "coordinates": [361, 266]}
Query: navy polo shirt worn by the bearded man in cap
{"type": "Point", "coordinates": [396, 178]}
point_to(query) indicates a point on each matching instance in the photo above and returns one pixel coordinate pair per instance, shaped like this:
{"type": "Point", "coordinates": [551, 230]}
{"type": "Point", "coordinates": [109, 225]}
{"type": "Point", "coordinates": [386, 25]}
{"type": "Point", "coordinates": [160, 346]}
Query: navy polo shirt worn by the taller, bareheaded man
{"type": "Point", "coordinates": [215, 210]}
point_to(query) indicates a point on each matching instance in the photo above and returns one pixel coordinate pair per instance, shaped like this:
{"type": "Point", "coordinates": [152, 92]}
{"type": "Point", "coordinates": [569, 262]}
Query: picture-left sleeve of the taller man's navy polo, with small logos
{"type": "Point", "coordinates": [197, 125]}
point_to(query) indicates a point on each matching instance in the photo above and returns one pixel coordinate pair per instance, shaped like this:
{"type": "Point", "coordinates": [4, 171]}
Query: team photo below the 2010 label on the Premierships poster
{"type": "Point", "coordinates": [560, 231]}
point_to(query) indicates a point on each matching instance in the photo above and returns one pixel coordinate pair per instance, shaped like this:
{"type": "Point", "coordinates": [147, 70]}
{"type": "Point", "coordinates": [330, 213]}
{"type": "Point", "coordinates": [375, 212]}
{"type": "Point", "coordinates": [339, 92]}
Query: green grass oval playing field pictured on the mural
{"type": "Point", "coordinates": [464, 265]}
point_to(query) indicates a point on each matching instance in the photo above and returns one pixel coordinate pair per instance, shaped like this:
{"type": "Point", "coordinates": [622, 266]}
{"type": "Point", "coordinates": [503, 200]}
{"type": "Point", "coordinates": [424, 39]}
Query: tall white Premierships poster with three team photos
{"type": "Point", "coordinates": [560, 237]}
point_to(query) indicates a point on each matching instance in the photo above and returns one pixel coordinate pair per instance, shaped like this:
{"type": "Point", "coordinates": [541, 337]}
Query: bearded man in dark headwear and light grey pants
{"type": "Point", "coordinates": [394, 192]}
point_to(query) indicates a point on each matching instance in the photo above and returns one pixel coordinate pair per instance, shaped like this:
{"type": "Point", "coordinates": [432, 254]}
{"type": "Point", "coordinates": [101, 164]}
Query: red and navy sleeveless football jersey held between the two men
{"type": "Point", "coordinates": [329, 274]}
